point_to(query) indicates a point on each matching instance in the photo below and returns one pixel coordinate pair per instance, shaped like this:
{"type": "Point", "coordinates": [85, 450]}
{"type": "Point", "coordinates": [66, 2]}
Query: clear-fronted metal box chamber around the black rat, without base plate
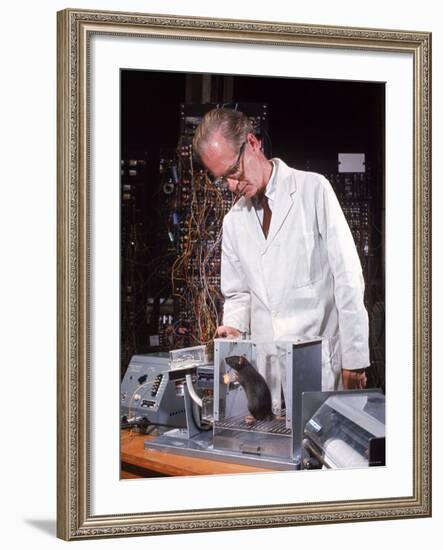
{"type": "Point", "coordinates": [278, 439]}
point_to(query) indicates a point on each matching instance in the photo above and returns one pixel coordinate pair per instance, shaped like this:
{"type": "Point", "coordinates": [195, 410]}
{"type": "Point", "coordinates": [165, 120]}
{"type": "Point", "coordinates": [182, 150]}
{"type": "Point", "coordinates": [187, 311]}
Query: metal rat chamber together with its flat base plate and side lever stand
{"type": "Point", "coordinates": [270, 443]}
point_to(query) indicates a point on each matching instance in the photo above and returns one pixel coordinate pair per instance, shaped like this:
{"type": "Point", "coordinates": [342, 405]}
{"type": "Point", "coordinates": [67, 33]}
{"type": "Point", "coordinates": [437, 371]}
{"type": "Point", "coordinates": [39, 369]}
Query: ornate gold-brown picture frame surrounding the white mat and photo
{"type": "Point", "coordinates": [76, 389]}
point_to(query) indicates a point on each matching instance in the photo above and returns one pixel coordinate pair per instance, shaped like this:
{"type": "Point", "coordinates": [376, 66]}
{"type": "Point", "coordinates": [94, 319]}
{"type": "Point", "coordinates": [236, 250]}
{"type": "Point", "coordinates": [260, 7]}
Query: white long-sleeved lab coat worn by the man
{"type": "Point", "coordinates": [304, 281]}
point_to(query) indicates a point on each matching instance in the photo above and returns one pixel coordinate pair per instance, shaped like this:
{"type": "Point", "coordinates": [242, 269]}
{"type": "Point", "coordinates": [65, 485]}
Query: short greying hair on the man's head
{"type": "Point", "coordinates": [233, 125]}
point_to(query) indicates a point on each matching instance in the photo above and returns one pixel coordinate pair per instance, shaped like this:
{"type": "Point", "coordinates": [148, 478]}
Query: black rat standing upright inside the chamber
{"type": "Point", "coordinates": [256, 389]}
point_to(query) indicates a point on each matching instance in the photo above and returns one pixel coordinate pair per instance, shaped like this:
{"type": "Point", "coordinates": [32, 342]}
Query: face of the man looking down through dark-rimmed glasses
{"type": "Point", "coordinates": [240, 168]}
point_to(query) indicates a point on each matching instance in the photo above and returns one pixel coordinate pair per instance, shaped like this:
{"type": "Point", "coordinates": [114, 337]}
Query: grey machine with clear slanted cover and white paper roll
{"type": "Point", "coordinates": [344, 429]}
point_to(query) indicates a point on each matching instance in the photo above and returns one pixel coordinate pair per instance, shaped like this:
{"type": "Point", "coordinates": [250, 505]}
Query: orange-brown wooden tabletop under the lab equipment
{"type": "Point", "coordinates": [136, 461]}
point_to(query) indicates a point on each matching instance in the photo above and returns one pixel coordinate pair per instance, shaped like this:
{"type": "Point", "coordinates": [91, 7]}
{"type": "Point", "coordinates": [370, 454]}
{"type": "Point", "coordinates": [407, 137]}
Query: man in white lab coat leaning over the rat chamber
{"type": "Point", "coordinates": [290, 269]}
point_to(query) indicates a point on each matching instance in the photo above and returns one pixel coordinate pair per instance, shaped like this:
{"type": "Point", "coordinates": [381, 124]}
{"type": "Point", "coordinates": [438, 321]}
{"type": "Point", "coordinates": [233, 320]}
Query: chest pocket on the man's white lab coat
{"type": "Point", "coordinates": [307, 260]}
